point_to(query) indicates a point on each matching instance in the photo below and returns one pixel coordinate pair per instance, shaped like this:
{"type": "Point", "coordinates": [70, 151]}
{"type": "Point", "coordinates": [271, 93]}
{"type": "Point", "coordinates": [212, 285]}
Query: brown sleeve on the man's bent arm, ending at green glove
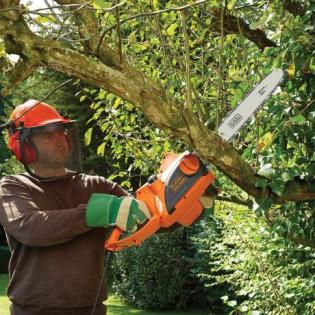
{"type": "Point", "coordinates": [22, 218]}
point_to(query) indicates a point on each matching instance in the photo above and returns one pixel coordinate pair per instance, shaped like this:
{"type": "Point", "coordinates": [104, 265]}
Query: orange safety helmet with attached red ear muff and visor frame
{"type": "Point", "coordinates": [35, 117]}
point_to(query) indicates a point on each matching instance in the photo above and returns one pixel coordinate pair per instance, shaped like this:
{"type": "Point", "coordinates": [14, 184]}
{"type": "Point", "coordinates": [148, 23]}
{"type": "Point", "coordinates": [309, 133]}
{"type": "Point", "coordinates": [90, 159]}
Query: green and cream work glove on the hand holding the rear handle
{"type": "Point", "coordinates": [124, 212]}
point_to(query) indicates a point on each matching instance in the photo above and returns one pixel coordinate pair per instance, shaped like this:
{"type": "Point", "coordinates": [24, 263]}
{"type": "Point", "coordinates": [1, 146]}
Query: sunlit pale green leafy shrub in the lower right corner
{"type": "Point", "coordinates": [253, 269]}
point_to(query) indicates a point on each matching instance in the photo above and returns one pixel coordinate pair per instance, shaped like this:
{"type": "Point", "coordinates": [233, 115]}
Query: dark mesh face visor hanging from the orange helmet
{"type": "Point", "coordinates": [57, 143]}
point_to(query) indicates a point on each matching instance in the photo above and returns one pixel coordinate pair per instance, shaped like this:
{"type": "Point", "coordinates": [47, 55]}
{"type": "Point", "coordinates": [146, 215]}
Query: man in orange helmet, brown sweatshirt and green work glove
{"type": "Point", "coordinates": [55, 217]}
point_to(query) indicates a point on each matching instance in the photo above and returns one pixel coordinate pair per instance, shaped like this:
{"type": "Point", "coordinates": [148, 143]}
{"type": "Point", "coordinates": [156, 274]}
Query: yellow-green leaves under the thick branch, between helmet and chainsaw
{"type": "Point", "coordinates": [134, 146]}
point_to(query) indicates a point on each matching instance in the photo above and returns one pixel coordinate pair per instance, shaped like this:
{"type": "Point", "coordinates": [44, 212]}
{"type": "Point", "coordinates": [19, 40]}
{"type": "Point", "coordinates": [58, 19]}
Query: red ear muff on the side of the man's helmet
{"type": "Point", "coordinates": [29, 154]}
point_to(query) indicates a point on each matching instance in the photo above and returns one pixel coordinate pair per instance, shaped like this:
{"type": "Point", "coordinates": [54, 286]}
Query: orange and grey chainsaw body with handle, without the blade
{"type": "Point", "coordinates": [172, 197]}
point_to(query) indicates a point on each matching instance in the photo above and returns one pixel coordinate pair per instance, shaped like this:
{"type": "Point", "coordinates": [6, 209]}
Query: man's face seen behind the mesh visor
{"type": "Point", "coordinates": [53, 147]}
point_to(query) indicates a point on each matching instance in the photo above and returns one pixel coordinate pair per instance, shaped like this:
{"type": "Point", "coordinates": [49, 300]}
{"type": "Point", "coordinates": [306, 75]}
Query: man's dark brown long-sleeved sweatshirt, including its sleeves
{"type": "Point", "coordinates": [57, 261]}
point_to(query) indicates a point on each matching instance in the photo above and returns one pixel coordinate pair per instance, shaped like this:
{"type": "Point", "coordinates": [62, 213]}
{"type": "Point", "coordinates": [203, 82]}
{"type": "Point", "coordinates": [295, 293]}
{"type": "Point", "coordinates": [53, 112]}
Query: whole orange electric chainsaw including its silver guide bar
{"type": "Point", "coordinates": [173, 196]}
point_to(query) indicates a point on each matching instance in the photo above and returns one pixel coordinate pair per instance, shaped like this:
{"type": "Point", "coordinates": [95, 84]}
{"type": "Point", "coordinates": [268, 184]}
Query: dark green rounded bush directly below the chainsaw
{"type": "Point", "coordinates": [157, 275]}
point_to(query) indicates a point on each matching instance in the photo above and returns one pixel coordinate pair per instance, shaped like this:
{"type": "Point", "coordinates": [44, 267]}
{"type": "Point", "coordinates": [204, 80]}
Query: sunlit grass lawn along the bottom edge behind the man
{"type": "Point", "coordinates": [114, 305]}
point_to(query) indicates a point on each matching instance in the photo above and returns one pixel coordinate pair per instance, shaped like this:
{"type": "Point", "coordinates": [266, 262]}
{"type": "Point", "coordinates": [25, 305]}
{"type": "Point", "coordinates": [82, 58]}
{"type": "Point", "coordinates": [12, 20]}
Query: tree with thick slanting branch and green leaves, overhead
{"type": "Point", "coordinates": [185, 65]}
